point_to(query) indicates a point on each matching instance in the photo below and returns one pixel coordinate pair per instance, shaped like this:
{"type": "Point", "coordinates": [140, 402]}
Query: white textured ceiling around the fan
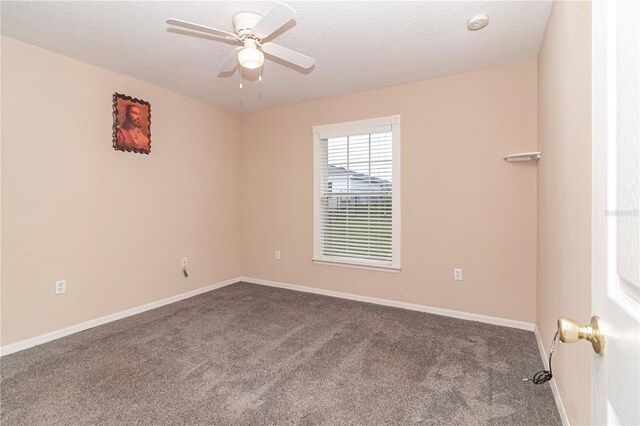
{"type": "Point", "coordinates": [357, 45]}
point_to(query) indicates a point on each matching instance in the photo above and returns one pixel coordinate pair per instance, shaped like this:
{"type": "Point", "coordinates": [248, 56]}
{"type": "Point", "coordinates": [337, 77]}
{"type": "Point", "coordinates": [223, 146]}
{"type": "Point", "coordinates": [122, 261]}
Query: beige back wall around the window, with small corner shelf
{"type": "Point", "coordinates": [462, 205]}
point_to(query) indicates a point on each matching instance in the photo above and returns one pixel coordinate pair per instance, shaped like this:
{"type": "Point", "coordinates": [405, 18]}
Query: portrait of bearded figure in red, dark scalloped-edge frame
{"type": "Point", "coordinates": [131, 124]}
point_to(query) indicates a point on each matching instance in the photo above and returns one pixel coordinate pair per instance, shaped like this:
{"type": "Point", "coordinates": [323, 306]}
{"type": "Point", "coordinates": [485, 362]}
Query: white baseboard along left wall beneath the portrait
{"type": "Point", "coordinates": [38, 340]}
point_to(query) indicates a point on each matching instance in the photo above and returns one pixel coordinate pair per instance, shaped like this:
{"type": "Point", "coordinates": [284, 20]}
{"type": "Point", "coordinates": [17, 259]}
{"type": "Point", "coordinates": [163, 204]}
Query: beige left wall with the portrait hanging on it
{"type": "Point", "coordinates": [113, 224]}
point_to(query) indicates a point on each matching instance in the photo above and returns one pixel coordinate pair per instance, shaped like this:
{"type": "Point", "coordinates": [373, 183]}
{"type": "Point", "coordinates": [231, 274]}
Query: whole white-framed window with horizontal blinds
{"type": "Point", "coordinates": [357, 193]}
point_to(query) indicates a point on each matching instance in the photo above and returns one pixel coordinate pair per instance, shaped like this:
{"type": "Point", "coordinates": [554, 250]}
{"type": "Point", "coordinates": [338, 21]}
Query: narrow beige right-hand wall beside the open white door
{"type": "Point", "coordinates": [564, 195]}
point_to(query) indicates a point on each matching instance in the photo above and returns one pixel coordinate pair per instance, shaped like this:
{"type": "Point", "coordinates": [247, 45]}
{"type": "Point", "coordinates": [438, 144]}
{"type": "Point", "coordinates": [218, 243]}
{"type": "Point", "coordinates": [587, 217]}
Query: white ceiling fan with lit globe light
{"type": "Point", "coordinates": [250, 30]}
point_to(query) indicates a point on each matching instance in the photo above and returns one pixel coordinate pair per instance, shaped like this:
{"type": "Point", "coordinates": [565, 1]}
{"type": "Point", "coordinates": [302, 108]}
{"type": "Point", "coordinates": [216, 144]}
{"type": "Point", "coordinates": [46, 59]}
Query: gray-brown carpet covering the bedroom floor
{"type": "Point", "coordinates": [248, 354]}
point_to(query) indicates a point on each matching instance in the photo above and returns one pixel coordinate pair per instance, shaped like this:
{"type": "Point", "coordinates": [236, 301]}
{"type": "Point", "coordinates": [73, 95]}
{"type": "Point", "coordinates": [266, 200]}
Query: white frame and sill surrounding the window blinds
{"type": "Point", "coordinates": [374, 125]}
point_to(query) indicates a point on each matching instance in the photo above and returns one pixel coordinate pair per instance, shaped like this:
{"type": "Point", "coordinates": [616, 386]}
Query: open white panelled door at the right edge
{"type": "Point", "coordinates": [616, 209]}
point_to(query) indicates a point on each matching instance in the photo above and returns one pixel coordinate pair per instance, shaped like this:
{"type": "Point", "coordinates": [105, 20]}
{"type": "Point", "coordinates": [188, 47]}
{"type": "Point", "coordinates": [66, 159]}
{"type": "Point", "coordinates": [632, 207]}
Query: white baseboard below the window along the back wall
{"type": "Point", "coordinates": [404, 305]}
